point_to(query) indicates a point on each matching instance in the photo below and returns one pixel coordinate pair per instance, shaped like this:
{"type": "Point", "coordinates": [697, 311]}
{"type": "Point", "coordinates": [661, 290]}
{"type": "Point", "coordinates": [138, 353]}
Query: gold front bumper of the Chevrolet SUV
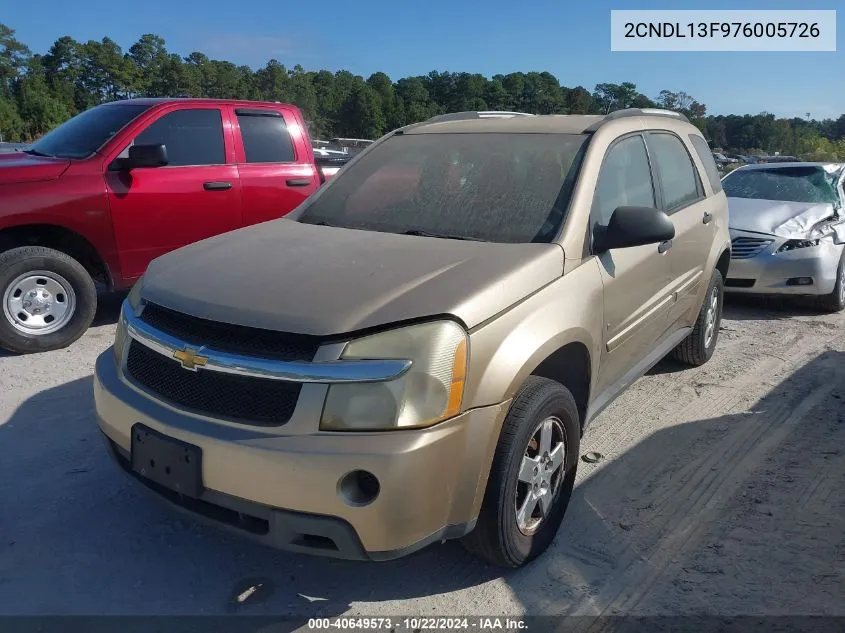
{"type": "Point", "coordinates": [282, 490]}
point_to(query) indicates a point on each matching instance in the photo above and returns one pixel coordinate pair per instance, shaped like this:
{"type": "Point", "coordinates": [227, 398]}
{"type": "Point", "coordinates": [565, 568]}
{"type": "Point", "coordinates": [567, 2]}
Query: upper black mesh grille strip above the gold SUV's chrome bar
{"type": "Point", "coordinates": [235, 339]}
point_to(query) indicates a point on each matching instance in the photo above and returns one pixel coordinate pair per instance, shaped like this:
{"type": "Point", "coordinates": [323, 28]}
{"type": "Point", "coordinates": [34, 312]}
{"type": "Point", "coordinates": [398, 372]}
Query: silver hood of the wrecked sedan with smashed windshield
{"type": "Point", "coordinates": [773, 217]}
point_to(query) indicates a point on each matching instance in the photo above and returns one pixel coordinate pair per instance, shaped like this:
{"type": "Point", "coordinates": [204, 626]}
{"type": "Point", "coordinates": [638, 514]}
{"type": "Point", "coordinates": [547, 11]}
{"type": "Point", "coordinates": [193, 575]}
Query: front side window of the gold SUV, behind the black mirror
{"type": "Point", "coordinates": [625, 179]}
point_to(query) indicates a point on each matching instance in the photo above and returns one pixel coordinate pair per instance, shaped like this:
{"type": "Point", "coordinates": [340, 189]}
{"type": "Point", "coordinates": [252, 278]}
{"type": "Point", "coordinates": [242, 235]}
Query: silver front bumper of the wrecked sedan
{"type": "Point", "coordinates": [774, 274]}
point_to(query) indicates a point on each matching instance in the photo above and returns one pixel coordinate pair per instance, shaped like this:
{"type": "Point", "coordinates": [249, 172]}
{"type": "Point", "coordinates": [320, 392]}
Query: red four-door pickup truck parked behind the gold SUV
{"type": "Point", "coordinates": [102, 195]}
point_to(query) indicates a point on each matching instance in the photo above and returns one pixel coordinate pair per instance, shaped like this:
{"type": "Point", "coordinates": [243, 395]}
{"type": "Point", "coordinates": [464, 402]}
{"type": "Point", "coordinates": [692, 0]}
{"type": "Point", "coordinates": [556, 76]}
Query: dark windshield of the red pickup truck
{"type": "Point", "coordinates": [87, 132]}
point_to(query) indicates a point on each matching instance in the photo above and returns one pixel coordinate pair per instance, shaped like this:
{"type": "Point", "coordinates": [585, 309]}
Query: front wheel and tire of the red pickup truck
{"type": "Point", "coordinates": [48, 299]}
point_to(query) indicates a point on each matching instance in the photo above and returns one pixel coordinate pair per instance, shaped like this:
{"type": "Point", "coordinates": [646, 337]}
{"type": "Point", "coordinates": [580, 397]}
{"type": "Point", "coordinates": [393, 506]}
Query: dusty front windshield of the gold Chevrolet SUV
{"type": "Point", "coordinates": [487, 186]}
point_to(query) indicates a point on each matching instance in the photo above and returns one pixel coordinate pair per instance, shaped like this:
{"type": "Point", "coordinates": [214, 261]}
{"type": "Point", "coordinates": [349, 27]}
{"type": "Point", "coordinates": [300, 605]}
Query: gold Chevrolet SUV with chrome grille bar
{"type": "Point", "coordinates": [414, 353]}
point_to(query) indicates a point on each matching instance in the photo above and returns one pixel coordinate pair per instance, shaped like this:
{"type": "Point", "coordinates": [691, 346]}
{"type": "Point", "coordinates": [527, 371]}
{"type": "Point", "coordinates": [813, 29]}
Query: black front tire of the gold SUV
{"type": "Point", "coordinates": [498, 537]}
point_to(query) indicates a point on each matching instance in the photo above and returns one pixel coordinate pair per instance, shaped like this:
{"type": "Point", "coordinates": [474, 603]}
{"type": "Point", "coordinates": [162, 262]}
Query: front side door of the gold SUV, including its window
{"type": "Point", "coordinates": [636, 280]}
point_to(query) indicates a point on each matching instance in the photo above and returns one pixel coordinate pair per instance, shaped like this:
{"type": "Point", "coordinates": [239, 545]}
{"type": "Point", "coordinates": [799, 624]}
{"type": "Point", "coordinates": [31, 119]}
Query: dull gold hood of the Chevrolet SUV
{"type": "Point", "coordinates": [307, 279]}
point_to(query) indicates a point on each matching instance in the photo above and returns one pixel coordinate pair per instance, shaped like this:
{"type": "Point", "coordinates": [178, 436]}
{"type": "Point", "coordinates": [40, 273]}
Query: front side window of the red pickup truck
{"type": "Point", "coordinates": [192, 137]}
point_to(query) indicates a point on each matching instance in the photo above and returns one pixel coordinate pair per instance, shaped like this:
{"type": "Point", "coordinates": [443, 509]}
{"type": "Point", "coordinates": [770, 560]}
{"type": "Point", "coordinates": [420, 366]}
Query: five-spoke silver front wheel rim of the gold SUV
{"type": "Point", "coordinates": [540, 475]}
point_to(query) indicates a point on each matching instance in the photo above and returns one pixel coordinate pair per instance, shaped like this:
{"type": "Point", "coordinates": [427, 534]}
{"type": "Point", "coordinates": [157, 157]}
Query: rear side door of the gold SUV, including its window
{"type": "Point", "coordinates": [682, 198]}
